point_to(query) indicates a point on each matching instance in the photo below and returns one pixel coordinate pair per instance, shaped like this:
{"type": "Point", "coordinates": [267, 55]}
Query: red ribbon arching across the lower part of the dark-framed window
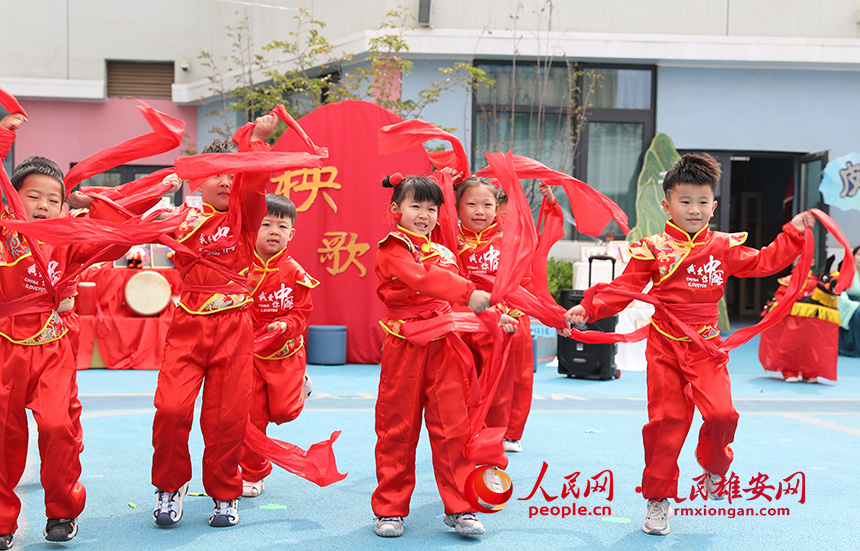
{"type": "Point", "coordinates": [591, 209]}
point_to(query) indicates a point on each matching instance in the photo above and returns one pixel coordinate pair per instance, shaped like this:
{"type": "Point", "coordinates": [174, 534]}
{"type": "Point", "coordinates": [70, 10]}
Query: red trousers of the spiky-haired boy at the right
{"type": "Point", "coordinates": [682, 377]}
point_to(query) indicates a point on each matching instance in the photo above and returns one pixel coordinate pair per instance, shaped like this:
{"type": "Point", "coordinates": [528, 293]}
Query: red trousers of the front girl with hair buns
{"type": "Point", "coordinates": [413, 380]}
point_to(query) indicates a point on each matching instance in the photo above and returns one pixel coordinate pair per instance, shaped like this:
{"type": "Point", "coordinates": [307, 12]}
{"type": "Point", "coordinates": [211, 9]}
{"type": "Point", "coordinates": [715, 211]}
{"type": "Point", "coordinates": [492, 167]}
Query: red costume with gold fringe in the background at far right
{"type": "Point", "coordinates": [806, 342]}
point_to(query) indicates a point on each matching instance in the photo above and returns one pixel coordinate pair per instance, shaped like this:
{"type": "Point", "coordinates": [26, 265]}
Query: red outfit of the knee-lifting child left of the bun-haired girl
{"type": "Point", "coordinates": [281, 290]}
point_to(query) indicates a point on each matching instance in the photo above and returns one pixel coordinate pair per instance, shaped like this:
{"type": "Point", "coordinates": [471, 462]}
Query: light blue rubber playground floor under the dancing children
{"type": "Point", "coordinates": [576, 426]}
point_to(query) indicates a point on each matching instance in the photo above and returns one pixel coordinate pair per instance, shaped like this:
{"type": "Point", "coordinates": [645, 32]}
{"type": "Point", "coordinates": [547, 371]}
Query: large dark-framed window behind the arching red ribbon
{"type": "Point", "coordinates": [540, 111]}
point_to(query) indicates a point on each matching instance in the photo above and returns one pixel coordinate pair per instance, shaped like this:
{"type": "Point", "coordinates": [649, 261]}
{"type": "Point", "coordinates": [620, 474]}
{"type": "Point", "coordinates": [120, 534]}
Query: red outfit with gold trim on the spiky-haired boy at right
{"type": "Point", "coordinates": [688, 275]}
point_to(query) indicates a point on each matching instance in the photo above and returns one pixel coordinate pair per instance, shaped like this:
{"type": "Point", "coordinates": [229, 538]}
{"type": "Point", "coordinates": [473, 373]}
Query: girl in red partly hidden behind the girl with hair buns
{"type": "Point", "coordinates": [480, 252]}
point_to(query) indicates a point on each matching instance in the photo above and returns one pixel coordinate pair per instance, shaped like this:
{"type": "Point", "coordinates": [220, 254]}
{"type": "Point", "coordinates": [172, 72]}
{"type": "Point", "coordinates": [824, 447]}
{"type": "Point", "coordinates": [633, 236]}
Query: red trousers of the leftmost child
{"type": "Point", "coordinates": [38, 378]}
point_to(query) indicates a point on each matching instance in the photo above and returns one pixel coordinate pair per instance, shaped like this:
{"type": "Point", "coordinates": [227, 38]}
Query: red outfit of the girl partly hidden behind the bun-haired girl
{"type": "Point", "coordinates": [479, 254]}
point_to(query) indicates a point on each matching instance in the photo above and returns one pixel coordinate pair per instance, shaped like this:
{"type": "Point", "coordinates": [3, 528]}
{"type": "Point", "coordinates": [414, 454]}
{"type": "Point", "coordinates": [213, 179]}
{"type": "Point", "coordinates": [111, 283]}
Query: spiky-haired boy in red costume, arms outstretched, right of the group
{"type": "Point", "coordinates": [688, 266]}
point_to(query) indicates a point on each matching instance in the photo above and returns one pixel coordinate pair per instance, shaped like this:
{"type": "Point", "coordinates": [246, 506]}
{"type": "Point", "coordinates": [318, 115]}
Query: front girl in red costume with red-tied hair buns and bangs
{"type": "Point", "coordinates": [418, 280]}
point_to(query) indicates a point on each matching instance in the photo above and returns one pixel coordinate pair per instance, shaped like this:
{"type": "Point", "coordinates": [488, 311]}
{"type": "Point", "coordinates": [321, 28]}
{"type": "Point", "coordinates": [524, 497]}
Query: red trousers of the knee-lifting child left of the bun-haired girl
{"type": "Point", "coordinates": [278, 396]}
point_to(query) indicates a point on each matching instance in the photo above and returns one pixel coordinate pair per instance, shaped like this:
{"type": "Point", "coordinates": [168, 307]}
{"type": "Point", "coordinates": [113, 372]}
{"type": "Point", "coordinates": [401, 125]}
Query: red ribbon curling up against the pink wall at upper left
{"type": "Point", "coordinates": [166, 134]}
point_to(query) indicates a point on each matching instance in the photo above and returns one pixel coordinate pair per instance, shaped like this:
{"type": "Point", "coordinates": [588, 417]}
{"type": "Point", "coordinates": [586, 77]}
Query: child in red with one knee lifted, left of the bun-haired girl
{"type": "Point", "coordinates": [281, 290]}
